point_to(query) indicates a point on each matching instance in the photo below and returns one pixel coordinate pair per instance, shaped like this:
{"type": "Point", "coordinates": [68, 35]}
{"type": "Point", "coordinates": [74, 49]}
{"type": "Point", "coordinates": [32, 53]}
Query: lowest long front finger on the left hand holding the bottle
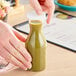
{"type": "Point", "coordinates": [9, 58]}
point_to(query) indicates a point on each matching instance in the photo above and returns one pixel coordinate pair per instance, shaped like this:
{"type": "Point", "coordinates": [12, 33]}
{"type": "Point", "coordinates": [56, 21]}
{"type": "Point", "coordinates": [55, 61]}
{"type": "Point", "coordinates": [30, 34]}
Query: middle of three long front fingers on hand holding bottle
{"type": "Point", "coordinates": [14, 52]}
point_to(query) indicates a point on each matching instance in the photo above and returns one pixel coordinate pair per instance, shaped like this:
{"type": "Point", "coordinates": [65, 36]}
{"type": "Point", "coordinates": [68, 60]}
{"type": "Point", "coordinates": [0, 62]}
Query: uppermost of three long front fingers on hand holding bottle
{"type": "Point", "coordinates": [16, 44]}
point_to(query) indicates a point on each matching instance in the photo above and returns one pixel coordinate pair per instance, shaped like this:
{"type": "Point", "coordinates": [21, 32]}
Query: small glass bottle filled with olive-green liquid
{"type": "Point", "coordinates": [36, 46]}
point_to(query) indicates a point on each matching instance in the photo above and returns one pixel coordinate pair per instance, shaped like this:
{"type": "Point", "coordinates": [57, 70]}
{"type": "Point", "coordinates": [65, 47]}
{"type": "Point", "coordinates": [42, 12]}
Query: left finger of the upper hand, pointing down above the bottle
{"type": "Point", "coordinates": [36, 6]}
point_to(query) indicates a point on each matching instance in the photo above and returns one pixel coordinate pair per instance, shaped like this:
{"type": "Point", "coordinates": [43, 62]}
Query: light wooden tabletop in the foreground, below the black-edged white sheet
{"type": "Point", "coordinates": [60, 62]}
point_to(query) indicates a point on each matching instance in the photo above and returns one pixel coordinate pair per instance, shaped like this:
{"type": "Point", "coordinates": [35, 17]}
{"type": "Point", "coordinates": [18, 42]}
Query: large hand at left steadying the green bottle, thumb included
{"type": "Point", "coordinates": [11, 49]}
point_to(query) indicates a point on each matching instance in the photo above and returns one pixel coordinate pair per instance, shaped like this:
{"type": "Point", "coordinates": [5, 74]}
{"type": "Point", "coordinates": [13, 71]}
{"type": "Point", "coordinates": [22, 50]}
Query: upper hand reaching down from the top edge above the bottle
{"type": "Point", "coordinates": [43, 6]}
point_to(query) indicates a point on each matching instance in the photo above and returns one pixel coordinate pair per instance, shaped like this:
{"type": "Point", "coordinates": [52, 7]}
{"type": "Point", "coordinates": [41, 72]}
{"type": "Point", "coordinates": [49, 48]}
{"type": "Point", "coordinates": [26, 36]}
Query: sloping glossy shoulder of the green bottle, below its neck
{"type": "Point", "coordinates": [36, 40]}
